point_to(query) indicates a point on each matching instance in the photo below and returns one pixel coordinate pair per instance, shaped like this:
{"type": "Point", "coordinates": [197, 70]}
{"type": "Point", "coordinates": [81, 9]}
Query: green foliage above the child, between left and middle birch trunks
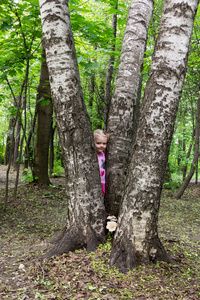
{"type": "Point", "coordinates": [93, 39]}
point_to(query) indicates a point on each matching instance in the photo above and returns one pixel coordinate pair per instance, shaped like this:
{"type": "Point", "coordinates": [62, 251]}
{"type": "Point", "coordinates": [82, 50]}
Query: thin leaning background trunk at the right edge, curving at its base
{"type": "Point", "coordinates": [184, 185]}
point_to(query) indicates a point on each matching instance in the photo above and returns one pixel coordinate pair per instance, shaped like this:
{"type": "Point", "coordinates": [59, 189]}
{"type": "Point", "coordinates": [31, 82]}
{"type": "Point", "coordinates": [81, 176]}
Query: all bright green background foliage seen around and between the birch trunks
{"type": "Point", "coordinates": [20, 35]}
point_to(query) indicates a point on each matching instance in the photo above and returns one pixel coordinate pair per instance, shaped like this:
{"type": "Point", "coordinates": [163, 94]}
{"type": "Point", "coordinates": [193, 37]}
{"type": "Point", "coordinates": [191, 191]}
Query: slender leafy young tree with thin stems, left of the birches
{"type": "Point", "coordinates": [23, 43]}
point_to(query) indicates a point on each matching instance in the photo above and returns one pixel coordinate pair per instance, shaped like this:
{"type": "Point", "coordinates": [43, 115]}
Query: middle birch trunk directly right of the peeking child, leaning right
{"type": "Point", "coordinates": [122, 117]}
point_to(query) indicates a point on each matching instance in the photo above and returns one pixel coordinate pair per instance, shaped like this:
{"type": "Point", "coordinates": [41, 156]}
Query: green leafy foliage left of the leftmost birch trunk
{"type": "Point", "coordinates": [20, 37]}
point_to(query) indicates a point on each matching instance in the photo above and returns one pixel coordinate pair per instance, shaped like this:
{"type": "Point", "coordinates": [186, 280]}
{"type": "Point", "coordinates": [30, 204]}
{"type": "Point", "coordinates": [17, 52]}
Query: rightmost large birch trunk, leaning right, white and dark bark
{"type": "Point", "coordinates": [136, 240]}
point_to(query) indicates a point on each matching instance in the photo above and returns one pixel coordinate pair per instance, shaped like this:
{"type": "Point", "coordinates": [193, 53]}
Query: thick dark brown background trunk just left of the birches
{"type": "Point", "coordinates": [44, 124]}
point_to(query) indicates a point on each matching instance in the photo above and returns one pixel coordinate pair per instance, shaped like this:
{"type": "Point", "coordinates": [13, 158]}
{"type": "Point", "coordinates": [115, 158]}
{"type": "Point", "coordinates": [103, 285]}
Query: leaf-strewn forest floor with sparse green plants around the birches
{"type": "Point", "coordinates": [39, 213]}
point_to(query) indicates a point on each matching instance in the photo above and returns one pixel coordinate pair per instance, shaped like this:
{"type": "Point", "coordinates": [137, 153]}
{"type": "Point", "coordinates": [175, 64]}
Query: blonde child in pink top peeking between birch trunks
{"type": "Point", "coordinates": [101, 140]}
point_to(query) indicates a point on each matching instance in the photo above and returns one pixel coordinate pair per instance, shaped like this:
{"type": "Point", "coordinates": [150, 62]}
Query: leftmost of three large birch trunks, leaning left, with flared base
{"type": "Point", "coordinates": [86, 207]}
